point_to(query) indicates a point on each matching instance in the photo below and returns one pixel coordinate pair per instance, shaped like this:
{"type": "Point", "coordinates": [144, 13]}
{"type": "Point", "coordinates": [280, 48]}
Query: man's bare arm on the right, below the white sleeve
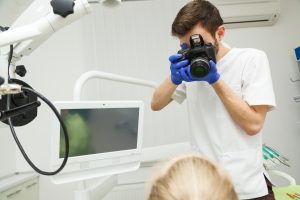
{"type": "Point", "coordinates": [249, 118]}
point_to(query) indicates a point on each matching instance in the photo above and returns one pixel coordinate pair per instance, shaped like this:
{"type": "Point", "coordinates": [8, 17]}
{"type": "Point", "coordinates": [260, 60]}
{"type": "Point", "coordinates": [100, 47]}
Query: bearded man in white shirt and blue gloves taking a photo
{"type": "Point", "coordinates": [227, 107]}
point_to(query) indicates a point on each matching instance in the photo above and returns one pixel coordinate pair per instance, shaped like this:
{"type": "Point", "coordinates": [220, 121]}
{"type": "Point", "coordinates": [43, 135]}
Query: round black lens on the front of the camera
{"type": "Point", "coordinates": [199, 67]}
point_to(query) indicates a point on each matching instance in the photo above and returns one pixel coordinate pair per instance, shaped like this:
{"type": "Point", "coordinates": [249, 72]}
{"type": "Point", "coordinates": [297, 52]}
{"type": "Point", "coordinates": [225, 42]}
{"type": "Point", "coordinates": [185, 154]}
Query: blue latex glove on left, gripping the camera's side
{"type": "Point", "coordinates": [176, 65]}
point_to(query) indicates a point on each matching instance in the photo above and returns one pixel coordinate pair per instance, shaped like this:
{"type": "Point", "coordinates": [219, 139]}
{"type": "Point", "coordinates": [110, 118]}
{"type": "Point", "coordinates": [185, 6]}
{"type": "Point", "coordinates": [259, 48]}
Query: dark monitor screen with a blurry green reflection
{"type": "Point", "coordinates": [93, 131]}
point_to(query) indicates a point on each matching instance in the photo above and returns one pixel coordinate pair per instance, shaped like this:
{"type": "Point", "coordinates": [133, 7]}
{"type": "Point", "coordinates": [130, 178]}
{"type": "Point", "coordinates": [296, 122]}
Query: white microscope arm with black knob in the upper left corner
{"type": "Point", "coordinates": [26, 38]}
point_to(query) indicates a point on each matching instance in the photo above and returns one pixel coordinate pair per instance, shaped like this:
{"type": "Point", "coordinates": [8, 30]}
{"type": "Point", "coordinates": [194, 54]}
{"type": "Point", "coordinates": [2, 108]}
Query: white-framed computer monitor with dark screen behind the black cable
{"type": "Point", "coordinates": [105, 138]}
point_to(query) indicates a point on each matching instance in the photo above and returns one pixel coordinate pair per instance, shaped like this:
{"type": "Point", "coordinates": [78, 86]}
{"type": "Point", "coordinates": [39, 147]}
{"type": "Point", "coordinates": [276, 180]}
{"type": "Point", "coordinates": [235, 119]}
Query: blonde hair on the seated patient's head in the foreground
{"type": "Point", "coordinates": [192, 177]}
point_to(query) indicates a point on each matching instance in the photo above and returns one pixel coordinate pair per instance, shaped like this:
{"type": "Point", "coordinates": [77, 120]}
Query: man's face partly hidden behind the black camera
{"type": "Point", "coordinates": [205, 34]}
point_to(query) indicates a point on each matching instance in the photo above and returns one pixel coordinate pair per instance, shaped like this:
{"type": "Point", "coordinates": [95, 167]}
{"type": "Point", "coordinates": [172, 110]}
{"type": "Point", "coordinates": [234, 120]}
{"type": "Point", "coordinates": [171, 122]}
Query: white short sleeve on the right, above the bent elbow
{"type": "Point", "coordinates": [257, 86]}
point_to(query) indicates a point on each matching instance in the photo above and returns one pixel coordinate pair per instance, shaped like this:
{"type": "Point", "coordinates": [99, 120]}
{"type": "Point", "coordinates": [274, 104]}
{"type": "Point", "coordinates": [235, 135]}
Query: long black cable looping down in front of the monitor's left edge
{"type": "Point", "coordinates": [62, 124]}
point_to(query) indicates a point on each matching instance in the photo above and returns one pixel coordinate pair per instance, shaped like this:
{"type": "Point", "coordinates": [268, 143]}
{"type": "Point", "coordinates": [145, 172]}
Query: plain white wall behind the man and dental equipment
{"type": "Point", "coordinates": [134, 40]}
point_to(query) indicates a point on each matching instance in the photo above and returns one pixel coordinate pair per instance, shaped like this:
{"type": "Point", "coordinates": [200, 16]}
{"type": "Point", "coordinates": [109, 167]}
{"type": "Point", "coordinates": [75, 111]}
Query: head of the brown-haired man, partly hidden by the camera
{"type": "Point", "coordinates": [199, 17]}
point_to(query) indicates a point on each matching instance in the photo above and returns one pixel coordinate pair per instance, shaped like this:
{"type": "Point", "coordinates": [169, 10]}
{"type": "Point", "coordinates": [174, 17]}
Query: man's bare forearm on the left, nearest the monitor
{"type": "Point", "coordinates": [162, 95]}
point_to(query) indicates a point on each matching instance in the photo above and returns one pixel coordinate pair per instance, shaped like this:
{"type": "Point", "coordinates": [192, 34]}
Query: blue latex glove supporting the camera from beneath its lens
{"type": "Point", "coordinates": [212, 77]}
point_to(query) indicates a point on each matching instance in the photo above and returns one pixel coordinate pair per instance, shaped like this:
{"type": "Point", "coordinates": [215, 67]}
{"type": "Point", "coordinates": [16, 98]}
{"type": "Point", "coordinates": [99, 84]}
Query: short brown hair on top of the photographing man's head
{"type": "Point", "coordinates": [195, 12]}
